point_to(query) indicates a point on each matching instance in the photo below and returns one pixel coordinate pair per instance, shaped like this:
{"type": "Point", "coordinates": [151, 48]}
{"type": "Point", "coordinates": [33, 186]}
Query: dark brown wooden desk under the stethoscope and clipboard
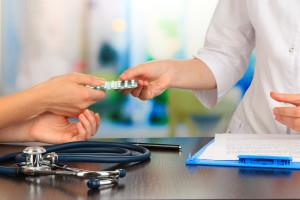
{"type": "Point", "coordinates": [165, 176]}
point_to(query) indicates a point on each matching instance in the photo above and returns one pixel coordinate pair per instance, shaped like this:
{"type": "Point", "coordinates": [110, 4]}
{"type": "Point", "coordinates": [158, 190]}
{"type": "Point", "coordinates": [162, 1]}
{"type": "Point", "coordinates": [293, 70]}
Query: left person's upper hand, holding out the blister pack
{"type": "Point", "coordinates": [66, 94]}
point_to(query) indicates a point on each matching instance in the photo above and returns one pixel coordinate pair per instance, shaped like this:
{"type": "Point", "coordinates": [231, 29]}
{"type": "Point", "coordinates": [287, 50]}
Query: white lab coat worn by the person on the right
{"type": "Point", "coordinates": [273, 28]}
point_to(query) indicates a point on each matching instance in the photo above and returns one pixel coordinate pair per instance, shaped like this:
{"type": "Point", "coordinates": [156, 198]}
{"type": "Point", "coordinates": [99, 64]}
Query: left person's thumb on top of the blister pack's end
{"type": "Point", "coordinates": [87, 79]}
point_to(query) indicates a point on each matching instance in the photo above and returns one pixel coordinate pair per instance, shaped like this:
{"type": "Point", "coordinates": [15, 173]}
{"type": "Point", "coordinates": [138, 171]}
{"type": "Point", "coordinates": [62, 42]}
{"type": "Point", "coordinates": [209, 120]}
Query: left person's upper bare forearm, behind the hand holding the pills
{"type": "Point", "coordinates": [19, 106]}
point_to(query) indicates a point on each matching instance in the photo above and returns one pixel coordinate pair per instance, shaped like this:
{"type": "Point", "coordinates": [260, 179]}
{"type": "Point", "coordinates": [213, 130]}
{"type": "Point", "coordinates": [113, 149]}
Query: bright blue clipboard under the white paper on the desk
{"type": "Point", "coordinates": [278, 162]}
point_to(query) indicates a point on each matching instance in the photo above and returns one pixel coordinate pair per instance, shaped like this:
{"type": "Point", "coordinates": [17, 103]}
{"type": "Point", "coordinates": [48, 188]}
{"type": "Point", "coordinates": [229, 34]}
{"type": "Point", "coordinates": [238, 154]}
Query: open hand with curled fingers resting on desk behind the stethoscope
{"type": "Point", "coordinates": [55, 129]}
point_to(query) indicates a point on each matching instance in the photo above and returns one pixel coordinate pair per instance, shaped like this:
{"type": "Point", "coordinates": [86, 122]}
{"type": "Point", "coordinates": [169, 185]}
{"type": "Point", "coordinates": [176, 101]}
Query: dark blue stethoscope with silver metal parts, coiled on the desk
{"type": "Point", "coordinates": [46, 161]}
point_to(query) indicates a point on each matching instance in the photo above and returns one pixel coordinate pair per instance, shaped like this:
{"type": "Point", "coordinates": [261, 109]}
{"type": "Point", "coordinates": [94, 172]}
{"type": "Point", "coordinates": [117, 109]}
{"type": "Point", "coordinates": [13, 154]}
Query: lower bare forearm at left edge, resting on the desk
{"type": "Point", "coordinates": [18, 132]}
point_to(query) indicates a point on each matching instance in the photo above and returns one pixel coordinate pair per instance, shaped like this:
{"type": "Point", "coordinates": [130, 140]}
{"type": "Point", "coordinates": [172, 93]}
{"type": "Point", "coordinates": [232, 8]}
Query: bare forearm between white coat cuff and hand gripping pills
{"type": "Point", "coordinates": [191, 74]}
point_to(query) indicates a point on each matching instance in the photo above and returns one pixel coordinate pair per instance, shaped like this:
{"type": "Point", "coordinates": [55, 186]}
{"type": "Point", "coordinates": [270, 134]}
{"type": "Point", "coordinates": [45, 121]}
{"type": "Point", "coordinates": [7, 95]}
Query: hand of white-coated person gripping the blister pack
{"type": "Point", "coordinates": [153, 79]}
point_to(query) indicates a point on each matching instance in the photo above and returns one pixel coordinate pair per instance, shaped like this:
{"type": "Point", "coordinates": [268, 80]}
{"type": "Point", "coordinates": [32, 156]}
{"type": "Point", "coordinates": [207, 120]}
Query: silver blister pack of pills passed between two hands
{"type": "Point", "coordinates": [116, 85]}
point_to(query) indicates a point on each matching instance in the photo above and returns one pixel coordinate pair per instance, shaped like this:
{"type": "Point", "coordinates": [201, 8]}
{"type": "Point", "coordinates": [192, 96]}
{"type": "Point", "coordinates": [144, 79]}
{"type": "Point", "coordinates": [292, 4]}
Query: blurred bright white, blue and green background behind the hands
{"type": "Point", "coordinates": [42, 39]}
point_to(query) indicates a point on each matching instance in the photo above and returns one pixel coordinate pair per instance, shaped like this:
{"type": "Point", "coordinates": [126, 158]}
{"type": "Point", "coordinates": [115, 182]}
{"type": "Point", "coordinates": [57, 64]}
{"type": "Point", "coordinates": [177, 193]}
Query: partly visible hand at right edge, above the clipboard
{"type": "Point", "coordinates": [289, 116]}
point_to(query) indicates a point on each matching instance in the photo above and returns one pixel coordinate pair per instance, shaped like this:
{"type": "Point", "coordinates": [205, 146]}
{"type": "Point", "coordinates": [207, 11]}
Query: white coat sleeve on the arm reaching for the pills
{"type": "Point", "coordinates": [227, 49]}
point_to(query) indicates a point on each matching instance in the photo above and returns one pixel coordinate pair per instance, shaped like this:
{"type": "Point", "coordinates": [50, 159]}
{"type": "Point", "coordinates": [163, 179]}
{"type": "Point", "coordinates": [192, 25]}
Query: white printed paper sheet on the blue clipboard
{"type": "Point", "coordinates": [229, 146]}
